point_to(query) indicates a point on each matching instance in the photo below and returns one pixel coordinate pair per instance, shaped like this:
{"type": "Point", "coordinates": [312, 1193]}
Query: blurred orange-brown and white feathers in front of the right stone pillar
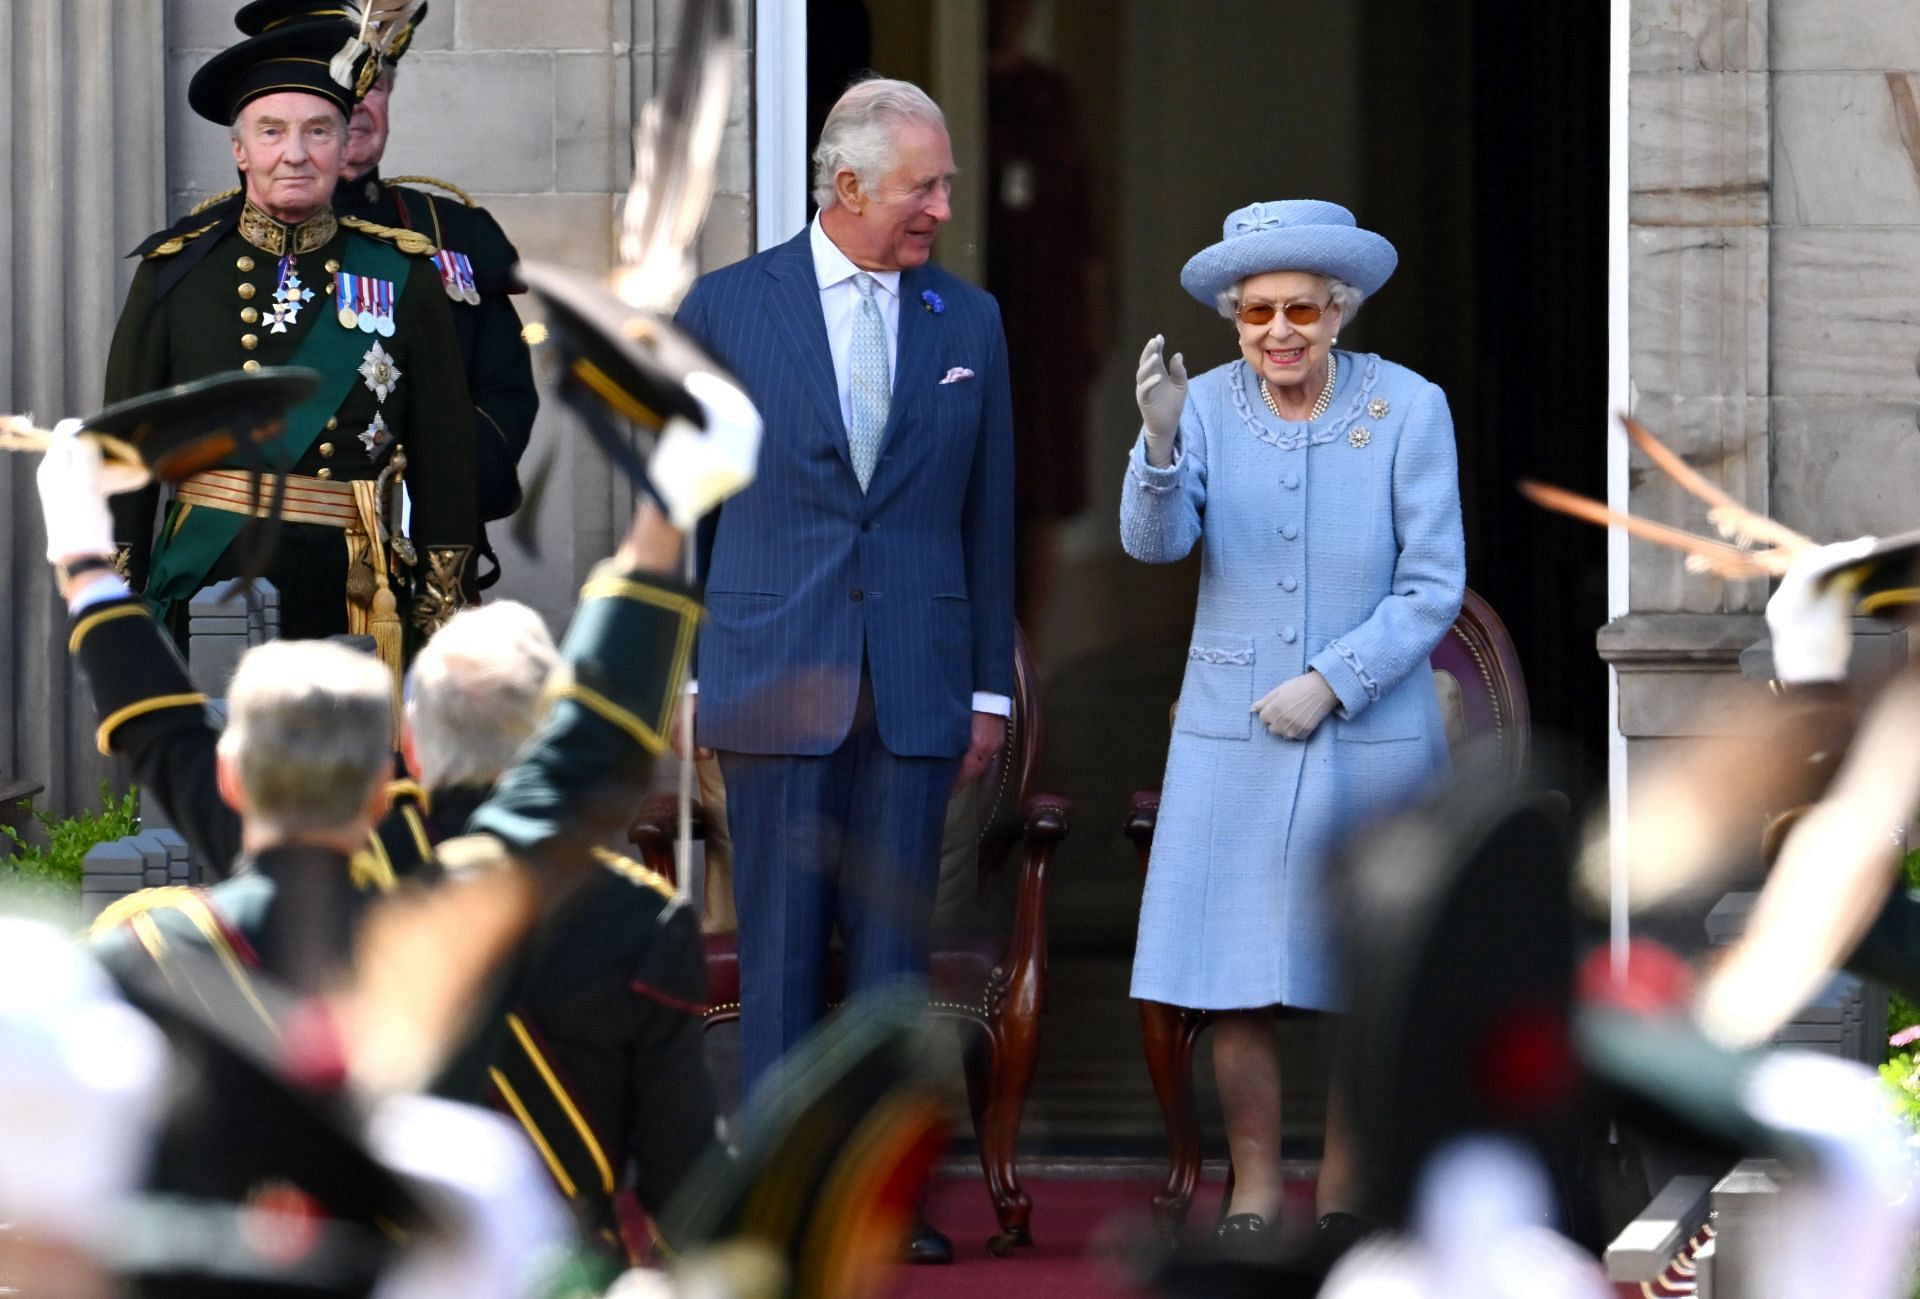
{"type": "Point", "coordinates": [1758, 548]}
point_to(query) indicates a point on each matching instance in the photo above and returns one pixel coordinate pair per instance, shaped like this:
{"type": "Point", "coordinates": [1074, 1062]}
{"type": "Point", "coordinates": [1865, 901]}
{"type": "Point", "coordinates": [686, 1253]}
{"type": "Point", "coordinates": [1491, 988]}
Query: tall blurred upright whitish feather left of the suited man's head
{"type": "Point", "coordinates": [675, 151]}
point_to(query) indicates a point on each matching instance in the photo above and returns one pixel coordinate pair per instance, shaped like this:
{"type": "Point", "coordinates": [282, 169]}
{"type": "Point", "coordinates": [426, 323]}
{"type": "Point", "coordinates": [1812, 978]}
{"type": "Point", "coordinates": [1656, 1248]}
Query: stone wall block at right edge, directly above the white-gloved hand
{"type": "Point", "coordinates": [1846, 467]}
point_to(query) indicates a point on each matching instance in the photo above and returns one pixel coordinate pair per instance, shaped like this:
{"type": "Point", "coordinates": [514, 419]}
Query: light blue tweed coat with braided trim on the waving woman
{"type": "Point", "coordinates": [1332, 546]}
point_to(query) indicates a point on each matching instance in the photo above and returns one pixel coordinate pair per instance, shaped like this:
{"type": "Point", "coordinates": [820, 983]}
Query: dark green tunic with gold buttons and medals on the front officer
{"type": "Point", "coordinates": [203, 302]}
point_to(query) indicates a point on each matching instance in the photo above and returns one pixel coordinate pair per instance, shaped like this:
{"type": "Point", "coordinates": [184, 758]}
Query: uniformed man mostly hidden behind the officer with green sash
{"type": "Point", "coordinates": [475, 262]}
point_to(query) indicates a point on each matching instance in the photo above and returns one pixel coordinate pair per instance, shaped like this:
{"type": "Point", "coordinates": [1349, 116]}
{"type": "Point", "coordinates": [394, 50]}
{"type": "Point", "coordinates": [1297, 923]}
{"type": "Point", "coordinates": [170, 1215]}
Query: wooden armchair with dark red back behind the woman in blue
{"type": "Point", "coordinates": [1483, 701]}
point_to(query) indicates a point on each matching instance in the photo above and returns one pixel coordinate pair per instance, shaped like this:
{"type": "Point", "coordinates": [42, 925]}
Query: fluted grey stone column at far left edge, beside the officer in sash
{"type": "Point", "coordinates": [82, 181]}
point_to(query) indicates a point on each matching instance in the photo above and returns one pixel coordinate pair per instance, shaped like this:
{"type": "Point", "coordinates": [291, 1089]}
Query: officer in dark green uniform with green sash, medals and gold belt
{"type": "Point", "coordinates": [281, 279]}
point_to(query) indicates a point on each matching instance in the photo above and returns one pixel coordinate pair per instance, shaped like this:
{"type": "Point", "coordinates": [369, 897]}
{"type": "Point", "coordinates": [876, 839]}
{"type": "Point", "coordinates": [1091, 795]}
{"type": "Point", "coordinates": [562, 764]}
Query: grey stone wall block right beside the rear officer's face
{"type": "Point", "coordinates": [479, 120]}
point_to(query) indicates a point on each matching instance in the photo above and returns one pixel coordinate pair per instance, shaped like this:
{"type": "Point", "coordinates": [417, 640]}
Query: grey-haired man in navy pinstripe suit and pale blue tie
{"type": "Point", "coordinates": [857, 659]}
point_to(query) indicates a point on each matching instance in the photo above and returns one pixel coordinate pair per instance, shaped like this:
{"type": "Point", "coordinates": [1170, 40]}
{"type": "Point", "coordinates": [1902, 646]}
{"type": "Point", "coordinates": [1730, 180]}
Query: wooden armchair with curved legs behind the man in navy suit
{"type": "Point", "coordinates": [996, 983]}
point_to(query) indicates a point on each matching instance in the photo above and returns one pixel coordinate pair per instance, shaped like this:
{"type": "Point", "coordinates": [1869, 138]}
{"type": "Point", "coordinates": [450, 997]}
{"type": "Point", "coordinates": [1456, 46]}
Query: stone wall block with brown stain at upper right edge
{"type": "Point", "coordinates": [1848, 149]}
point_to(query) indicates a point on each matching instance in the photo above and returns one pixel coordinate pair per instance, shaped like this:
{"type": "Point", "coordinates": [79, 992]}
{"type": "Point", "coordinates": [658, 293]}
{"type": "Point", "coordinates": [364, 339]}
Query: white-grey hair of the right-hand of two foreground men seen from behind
{"type": "Point", "coordinates": [475, 694]}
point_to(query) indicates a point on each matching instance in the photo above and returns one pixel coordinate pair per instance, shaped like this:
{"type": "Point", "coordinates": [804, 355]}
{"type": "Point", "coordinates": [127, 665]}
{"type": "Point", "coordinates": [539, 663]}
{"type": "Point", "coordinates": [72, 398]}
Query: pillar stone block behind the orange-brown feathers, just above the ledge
{"type": "Point", "coordinates": [1725, 438]}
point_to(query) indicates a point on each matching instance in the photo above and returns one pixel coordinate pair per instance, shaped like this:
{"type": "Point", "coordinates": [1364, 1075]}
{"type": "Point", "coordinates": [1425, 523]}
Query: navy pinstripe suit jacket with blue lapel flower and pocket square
{"type": "Point", "coordinates": [805, 575]}
